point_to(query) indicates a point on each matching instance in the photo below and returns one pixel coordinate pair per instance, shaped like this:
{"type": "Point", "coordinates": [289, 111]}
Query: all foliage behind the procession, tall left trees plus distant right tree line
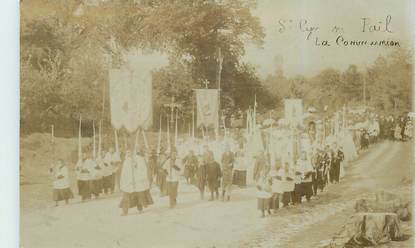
{"type": "Point", "coordinates": [67, 48]}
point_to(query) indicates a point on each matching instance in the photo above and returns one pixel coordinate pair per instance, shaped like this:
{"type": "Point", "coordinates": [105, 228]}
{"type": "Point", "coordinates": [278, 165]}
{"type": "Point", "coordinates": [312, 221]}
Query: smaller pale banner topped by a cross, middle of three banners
{"type": "Point", "coordinates": [207, 107]}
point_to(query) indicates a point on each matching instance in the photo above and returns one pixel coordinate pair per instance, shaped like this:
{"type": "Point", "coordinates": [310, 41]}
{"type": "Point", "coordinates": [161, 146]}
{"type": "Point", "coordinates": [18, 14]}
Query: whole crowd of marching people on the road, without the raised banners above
{"type": "Point", "coordinates": [296, 170]}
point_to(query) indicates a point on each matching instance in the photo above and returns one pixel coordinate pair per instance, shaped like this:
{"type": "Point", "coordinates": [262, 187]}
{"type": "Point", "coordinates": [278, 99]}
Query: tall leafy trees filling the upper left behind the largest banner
{"type": "Point", "coordinates": [79, 42]}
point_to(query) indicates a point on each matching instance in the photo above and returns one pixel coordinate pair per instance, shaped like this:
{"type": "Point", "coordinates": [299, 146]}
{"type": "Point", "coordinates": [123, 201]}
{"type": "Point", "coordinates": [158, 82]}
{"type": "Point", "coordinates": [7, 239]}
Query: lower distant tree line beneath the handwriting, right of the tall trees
{"type": "Point", "coordinates": [387, 84]}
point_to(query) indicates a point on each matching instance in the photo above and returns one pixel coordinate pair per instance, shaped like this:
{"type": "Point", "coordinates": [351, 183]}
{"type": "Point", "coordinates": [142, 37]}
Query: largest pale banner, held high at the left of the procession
{"type": "Point", "coordinates": [131, 99]}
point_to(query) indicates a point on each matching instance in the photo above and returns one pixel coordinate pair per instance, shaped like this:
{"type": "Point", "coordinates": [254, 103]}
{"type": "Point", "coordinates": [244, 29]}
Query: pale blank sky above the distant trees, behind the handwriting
{"type": "Point", "coordinates": [289, 47]}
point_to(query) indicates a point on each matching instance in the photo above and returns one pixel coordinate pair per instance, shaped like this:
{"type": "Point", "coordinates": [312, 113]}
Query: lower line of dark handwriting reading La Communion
{"type": "Point", "coordinates": [341, 41]}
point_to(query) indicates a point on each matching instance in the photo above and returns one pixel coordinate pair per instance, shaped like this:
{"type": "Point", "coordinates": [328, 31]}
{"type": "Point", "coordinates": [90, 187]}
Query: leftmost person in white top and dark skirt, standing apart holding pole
{"type": "Point", "coordinates": [61, 187]}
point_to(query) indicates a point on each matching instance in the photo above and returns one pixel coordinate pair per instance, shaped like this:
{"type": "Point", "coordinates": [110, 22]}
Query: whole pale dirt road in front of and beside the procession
{"type": "Point", "coordinates": [196, 223]}
